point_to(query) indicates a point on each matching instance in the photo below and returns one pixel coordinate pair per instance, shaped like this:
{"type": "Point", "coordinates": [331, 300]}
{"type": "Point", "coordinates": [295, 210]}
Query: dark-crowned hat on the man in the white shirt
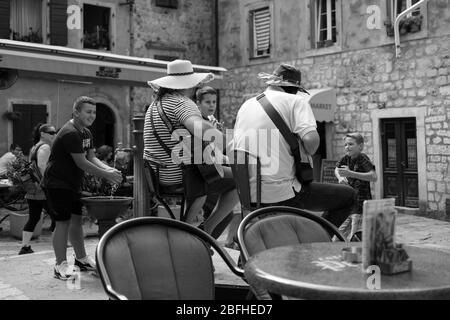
{"type": "Point", "coordinates": [284, 76]}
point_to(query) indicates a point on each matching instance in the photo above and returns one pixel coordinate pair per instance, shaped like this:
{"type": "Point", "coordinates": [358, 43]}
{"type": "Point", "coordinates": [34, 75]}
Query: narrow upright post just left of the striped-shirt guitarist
{"type": "Point", "coordinates": [141, 196]}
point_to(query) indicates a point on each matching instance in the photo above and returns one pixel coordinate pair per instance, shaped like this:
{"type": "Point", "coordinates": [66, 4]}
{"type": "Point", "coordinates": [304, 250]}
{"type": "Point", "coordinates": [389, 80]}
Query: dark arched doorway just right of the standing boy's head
{"type": "Point", "coordinates": [103, 127]}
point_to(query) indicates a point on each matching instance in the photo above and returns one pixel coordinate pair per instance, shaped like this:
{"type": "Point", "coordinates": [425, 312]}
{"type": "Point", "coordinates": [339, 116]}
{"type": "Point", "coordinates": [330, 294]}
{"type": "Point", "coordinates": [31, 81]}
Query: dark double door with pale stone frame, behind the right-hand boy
{"type": "Point", "coordinates": [399, 147]}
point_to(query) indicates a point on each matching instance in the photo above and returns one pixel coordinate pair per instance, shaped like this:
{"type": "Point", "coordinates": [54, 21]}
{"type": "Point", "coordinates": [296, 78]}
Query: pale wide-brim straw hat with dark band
{"type": "Point", "coordinates": [181, 75]}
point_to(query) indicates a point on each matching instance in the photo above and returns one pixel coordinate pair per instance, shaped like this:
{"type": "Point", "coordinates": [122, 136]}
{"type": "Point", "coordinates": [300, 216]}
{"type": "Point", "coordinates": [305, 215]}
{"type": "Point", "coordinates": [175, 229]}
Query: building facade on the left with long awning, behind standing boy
{"type": "Point", "coordinates": [94, 40]}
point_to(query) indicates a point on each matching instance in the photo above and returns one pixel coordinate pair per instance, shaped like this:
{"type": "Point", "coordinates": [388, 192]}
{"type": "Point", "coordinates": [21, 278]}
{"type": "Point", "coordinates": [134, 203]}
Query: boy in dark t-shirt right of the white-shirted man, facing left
{"type": "Point", "coordinates": [356, 170]}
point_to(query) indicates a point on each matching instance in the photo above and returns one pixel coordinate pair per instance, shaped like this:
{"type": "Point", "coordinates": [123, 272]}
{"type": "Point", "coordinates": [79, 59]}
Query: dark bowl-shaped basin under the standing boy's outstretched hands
{"type": "Point", "coordinates": [106, 210]}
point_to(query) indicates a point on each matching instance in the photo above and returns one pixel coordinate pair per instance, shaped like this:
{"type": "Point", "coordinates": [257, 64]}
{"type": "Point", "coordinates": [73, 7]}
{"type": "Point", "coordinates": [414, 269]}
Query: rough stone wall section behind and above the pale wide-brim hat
{"type": "Point", "coordinates": [187, 32]}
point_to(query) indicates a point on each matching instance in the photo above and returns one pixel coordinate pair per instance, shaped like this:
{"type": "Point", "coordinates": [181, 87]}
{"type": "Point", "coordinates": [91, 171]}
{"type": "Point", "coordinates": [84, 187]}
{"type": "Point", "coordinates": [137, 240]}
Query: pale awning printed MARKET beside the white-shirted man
{"type": "Point", "coordinates": [323, 103]}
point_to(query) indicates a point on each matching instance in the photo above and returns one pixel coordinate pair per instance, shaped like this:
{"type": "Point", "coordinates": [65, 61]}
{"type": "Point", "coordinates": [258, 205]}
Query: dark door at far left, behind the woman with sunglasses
{"type": "Point", "coordinates": [31, 115]}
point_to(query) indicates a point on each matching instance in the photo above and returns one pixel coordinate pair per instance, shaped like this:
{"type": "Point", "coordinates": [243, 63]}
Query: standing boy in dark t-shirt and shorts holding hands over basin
{"type": "Point", "coordinates": [72, 153]}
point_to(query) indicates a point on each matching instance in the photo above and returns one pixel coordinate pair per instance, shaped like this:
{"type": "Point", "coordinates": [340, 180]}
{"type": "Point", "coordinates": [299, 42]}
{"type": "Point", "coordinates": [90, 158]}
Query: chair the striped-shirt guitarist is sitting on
{"type": "Point", "coordinates": [161, 192]}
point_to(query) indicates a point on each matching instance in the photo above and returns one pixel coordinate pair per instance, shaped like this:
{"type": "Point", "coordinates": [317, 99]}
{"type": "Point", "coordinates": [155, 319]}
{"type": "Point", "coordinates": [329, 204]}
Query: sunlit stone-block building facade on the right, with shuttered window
{"type": "Point", "coordinates": [377, 91]}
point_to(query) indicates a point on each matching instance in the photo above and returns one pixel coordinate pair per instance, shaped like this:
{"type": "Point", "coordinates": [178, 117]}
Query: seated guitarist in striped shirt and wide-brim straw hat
{"type": "Point", "coordinates": [172, 101]}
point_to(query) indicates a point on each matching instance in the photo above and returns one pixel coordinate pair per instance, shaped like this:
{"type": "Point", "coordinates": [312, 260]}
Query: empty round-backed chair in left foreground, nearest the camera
{"type": "Point", "coordinates": [152, 258]}
